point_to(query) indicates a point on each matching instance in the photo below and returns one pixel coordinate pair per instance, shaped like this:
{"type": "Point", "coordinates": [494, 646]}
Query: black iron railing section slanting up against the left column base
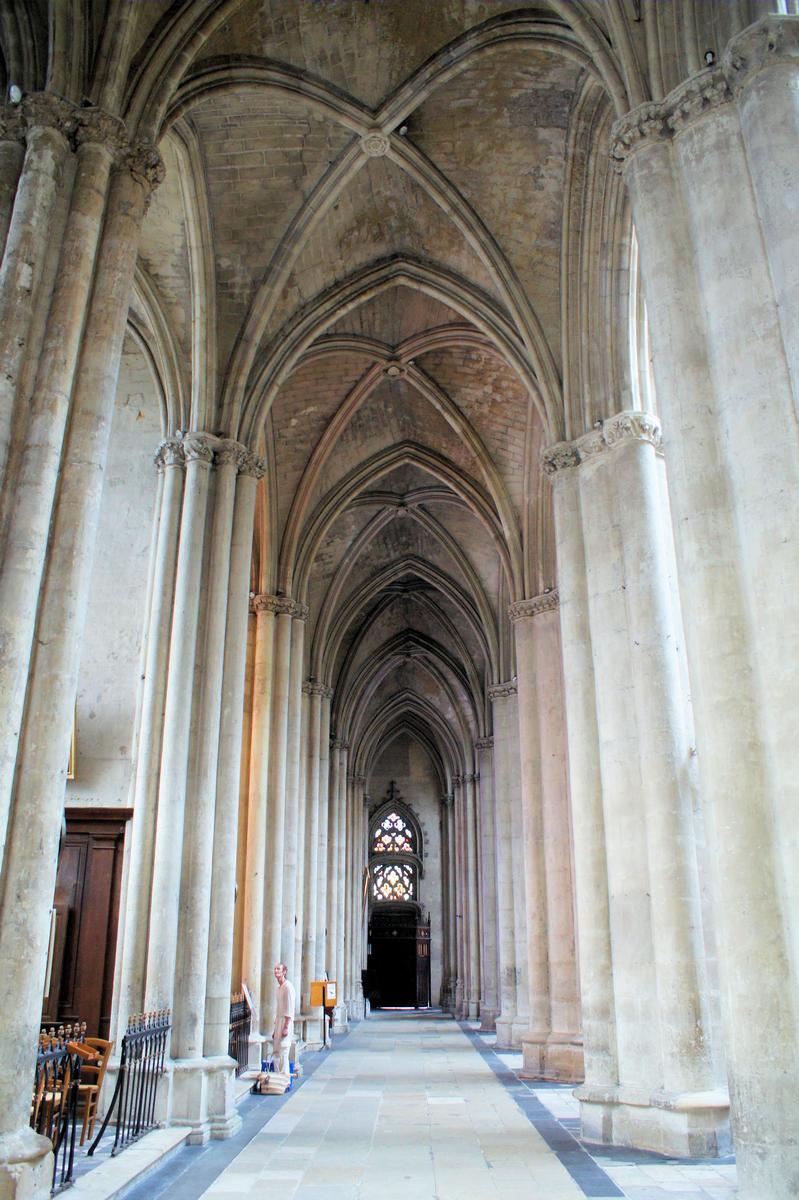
{"type": "Point", "coordinates": [141, 1067]}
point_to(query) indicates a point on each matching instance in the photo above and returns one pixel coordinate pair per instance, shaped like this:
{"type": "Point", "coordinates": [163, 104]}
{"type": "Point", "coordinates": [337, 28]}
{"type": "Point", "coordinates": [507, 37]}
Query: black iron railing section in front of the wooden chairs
{"type": "Point", "coordinates": [55, 1107]}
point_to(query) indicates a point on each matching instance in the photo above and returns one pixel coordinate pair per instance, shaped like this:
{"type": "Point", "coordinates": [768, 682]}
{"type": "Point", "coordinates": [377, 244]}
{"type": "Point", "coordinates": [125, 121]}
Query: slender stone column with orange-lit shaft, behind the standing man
{"type": "Point", "coordinates": [266, 607]}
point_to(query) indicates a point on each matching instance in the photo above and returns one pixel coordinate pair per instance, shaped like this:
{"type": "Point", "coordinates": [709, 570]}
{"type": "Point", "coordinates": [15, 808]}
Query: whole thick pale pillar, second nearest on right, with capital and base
{"type": "Point", "coordinates": [666, 1095]}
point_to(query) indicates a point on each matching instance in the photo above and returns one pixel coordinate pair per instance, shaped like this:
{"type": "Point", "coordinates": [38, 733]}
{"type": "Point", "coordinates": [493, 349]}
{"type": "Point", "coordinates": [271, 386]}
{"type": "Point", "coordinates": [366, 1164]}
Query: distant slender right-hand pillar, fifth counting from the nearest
{"type": "Point", "coordinates": [488, 851]}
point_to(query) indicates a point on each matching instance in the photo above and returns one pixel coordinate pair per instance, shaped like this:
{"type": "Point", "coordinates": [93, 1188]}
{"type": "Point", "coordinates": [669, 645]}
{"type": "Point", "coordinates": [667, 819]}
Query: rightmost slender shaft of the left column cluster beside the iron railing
{"type": "Point", "coordinates": [221, 1103]}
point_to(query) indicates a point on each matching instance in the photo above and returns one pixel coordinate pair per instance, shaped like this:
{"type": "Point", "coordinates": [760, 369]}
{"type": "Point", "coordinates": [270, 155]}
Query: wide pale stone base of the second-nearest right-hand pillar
{"type": "Point", "coordinates": [689, 1125]}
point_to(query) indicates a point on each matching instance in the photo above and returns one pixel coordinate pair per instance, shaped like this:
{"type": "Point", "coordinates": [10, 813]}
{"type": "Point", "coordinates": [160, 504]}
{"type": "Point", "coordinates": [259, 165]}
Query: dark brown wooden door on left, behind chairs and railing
{"type": "Point", "coordinates": [86, 917]}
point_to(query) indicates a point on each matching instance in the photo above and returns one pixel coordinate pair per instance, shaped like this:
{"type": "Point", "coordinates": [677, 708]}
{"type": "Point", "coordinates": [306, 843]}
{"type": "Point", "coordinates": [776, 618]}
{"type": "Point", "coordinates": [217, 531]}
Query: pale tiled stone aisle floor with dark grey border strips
{"type": "Point", "coordinates": [413, 1106]}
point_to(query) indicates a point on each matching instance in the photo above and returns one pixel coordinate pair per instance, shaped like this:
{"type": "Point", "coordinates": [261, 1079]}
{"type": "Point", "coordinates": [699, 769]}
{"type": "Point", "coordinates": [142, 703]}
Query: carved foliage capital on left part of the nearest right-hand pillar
{"type": "Point", "coordinates": [659, 122]}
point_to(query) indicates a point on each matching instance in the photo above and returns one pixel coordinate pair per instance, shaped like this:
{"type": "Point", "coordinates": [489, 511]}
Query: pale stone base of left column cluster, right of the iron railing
{"type": "Point", "coordinates": [203, 1099]}
